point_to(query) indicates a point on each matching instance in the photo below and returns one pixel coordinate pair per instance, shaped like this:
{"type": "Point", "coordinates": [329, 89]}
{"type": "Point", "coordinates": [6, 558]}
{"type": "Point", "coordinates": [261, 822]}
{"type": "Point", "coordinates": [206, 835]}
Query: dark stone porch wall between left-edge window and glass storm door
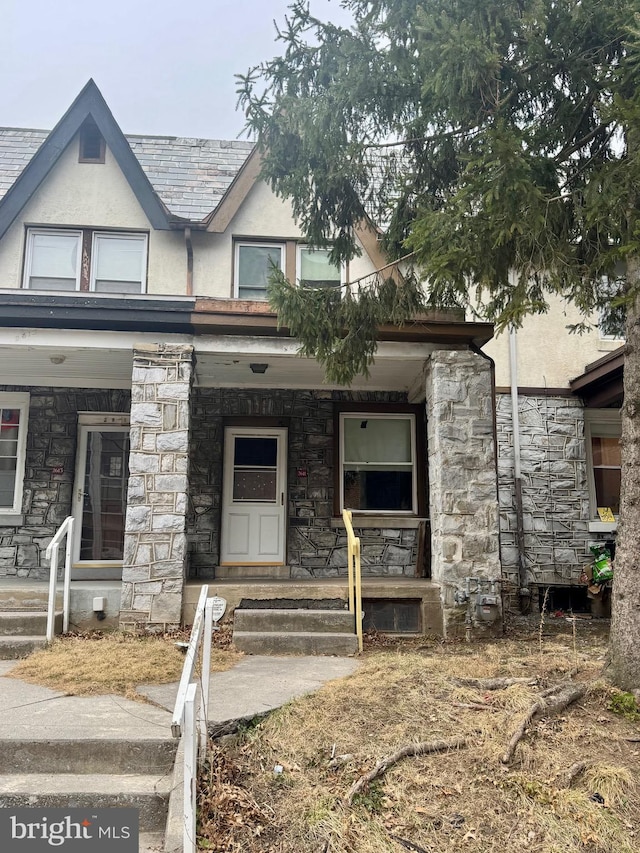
{"type": "Point", "coordinates": [51, 443]}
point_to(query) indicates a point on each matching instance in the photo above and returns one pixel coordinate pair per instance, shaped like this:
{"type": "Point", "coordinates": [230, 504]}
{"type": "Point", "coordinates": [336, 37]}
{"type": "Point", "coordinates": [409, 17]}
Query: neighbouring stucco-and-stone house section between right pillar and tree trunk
{"type": "Point", "coordinates": [567, 429]}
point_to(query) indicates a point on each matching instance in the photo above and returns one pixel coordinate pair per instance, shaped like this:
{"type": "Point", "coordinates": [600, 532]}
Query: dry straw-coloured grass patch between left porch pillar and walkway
{"type": "Point", "coordinates": [86, 664]}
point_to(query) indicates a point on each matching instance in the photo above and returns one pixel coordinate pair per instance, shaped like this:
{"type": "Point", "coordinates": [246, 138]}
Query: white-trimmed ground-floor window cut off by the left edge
{"type": "Point", "coordinates": [14, 414]}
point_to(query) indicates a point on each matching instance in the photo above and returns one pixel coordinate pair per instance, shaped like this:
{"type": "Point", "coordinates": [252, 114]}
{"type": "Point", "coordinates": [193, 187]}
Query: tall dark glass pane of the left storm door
{"type": "Point", "coordinates": [105, 495]}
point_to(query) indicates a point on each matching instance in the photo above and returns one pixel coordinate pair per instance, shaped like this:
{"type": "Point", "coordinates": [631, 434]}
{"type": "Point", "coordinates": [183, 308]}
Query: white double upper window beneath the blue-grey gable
{"type": "Point", "coordinates": [74, 259]}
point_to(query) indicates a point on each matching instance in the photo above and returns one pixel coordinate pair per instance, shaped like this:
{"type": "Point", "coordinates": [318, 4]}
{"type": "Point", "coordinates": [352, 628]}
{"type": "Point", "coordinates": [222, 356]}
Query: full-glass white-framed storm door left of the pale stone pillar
{"type": "Point", "coordinates": [100, 497]}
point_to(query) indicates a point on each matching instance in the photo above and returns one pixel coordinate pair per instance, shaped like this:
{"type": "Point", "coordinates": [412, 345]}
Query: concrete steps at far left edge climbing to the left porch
{"type": "Point", "coordinates": [23, 620]}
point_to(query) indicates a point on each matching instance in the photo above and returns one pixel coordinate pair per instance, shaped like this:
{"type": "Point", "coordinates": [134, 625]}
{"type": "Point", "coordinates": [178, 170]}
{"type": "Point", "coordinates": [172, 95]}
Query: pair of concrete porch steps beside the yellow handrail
{"type": "Point", "coordinates": [308, 629]}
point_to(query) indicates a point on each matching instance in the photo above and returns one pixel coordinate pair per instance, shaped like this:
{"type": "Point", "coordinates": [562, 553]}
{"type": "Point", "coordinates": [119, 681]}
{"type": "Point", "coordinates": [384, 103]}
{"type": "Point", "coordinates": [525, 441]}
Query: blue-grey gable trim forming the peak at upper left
{"type": "Point", "coordinates": [88, 104]}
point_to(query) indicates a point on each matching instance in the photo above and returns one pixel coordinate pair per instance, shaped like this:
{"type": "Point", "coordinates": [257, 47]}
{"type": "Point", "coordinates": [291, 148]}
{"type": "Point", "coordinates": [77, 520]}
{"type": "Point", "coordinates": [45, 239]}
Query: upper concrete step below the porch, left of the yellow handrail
{"type": "Point", "coordinates": [300, 620]}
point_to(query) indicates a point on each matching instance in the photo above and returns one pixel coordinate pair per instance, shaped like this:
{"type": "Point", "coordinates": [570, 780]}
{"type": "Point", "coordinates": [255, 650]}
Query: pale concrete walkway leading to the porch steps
{"type": "Point", "coordinates": [253, 687]}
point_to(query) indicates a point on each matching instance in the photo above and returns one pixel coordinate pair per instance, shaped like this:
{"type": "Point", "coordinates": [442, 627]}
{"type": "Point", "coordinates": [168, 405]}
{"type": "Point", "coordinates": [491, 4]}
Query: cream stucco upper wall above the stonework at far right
{"type": "Point", "coordinates": [548, 355]}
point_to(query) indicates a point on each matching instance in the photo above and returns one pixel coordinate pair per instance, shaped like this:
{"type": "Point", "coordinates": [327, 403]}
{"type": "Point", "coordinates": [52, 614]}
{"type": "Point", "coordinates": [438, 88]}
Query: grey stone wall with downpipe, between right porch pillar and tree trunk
{"type": "Point", "coordinates": [555, 494]}
